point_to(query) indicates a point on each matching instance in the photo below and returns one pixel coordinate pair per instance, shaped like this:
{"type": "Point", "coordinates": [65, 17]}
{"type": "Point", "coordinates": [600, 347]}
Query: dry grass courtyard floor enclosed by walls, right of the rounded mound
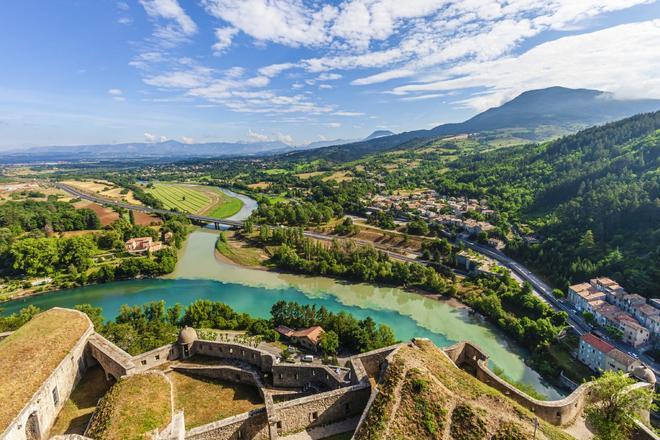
{"type": "Point", "coordinates": [220, 399]}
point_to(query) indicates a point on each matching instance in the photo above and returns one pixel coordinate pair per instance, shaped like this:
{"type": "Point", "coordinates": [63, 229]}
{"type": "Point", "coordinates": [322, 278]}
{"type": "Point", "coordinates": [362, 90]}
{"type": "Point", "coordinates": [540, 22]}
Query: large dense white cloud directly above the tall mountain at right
{"type": "Point", "coordinates": [621, 59]}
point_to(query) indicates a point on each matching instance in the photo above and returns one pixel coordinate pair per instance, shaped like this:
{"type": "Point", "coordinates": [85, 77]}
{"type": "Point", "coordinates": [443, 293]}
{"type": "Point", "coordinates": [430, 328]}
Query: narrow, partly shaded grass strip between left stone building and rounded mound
{"type": "Point", "coordinates": [78, 409]}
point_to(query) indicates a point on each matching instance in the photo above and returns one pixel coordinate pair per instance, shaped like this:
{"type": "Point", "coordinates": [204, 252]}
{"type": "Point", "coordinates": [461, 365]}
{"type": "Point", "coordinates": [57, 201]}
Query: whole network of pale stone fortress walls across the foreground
{"type": "Point", "coordinates": [348, 396]}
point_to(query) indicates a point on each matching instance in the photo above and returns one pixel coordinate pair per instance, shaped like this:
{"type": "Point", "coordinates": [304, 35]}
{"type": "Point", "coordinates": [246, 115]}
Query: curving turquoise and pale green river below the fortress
{"type": "Point", "coordinates": [200, 275]}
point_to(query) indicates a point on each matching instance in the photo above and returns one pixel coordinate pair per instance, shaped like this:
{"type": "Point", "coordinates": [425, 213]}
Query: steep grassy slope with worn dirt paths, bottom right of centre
{"type": "Point", "coordinates": [423, 395]}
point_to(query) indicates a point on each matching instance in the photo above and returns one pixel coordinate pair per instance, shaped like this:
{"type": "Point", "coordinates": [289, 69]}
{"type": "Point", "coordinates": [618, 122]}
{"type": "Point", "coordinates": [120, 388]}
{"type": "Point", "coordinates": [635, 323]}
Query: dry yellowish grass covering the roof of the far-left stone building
{"type": "Point", "coordinates": [31, 354]}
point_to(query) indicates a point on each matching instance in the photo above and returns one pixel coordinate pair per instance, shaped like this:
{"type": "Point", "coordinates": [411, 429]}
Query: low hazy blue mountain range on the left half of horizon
{"type": "Point", "coordinates": [161, 150]}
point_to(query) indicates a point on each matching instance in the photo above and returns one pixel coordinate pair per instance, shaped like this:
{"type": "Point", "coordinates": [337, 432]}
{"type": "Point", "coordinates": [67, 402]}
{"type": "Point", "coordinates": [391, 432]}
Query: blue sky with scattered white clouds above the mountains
{"type": "Point", "coordinates": [299, 71]}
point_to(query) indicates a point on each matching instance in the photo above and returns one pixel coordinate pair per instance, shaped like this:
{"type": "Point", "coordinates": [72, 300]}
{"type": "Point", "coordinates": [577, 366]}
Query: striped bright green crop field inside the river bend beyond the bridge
{"type": "Point", "coordinates": [203, 200]}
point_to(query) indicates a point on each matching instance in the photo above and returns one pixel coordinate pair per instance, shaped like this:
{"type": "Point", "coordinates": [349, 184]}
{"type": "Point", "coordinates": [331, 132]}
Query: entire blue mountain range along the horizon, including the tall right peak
{"type": "Point", "coordinates": [533, 115]}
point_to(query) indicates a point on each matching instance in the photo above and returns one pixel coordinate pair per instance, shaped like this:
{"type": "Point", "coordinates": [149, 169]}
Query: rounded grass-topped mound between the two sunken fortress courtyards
{"type": "Point", "coordinates": [134, 406]}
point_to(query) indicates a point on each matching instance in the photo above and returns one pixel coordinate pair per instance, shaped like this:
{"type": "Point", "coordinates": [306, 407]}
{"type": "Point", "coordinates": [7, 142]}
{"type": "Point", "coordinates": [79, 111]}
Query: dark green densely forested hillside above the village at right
{"type": "Point", "coordinates": [593, 199]}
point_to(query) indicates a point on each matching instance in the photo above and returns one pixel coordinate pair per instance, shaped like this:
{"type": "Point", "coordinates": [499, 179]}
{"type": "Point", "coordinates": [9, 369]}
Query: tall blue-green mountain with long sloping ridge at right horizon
{"type": "Point", "coordinates": [534, 115]}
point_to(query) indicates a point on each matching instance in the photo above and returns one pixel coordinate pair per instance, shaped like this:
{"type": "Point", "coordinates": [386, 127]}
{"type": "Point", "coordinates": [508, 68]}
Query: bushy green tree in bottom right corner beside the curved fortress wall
{"type": "Point", "coordinates": [614, 401]}
